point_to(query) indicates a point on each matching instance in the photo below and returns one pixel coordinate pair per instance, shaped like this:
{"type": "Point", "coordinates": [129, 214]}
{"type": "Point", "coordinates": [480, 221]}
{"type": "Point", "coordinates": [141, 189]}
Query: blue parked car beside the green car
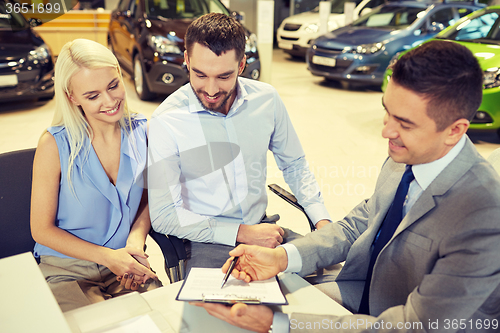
{"type": "Point", "coordinates": [362, 51]}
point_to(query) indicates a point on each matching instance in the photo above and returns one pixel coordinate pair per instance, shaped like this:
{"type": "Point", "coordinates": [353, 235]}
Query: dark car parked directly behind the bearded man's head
{"type": "Point", "coordinates": [147, 37]}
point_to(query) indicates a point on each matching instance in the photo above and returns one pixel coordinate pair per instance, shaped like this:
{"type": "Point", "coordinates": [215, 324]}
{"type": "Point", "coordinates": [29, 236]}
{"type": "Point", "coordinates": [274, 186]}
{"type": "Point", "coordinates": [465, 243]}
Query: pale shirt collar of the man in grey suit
{"type": "Point", "coordinates": [427, 172]}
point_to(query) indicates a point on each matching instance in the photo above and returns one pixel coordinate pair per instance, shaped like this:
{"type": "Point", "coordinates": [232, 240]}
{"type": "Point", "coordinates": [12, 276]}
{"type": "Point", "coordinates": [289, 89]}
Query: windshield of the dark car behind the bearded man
{"type": "Point", "coordinates": [175, 9]}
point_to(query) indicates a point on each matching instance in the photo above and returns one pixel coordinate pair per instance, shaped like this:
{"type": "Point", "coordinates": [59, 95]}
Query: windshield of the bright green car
{"type": "Point", "coordinates": [480, 29]}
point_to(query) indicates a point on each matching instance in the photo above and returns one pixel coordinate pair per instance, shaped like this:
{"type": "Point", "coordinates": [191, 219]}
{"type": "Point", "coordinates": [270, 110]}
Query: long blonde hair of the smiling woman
{"type": "Point", "coordinates": [75, 55]}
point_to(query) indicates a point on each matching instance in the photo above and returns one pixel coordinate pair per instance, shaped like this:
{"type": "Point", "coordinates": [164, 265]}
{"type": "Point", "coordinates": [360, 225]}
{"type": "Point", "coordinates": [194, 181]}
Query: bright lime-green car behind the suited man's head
{"type": "Point", "coordinates": [480, 33]}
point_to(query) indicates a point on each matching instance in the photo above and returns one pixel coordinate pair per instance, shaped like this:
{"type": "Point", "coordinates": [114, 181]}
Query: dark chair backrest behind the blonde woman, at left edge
{"type": "Point", "coordinates": [15, 196]}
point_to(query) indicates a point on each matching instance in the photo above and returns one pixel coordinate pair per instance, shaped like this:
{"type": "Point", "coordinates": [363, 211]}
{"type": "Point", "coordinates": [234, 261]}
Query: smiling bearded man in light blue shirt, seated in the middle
{"type": "Point", "coordinates": [208, 148]}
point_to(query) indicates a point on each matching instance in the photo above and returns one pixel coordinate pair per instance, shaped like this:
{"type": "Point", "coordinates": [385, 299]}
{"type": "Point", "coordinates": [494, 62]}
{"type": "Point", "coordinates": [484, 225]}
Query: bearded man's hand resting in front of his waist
{"type": "Point", "coordinates": [262, 234]}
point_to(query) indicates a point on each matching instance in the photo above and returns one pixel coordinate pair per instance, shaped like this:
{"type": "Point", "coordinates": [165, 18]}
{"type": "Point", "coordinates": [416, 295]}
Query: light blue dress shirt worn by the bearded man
{"type": "Point", "coordinates": [207, 171]}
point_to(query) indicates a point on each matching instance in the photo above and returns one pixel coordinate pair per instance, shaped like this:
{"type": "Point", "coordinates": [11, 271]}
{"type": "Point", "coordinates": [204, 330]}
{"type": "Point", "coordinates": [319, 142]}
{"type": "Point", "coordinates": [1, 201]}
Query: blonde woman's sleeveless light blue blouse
{"type": "Point", "coordinates": [100, 213]}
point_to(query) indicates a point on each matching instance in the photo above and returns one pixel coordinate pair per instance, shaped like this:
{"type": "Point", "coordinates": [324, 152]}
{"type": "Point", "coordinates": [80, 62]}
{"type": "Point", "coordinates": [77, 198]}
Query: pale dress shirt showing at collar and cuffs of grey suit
{"type": "Point", "coordinates": [424, 176]}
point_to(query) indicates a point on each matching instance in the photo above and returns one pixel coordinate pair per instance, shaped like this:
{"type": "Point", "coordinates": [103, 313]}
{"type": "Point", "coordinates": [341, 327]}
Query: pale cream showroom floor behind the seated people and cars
{"type": "Point", "coordinates": [340, 130]}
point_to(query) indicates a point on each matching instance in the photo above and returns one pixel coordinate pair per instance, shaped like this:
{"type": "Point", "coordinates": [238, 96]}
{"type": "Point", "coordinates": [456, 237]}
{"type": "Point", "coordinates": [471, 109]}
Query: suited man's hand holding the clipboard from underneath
{"type": "Point", "coordinates": [257, 318]}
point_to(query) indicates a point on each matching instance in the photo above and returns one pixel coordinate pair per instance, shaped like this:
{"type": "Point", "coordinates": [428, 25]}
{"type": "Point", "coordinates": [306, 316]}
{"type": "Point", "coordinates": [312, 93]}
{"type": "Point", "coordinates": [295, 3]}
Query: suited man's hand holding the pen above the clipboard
{"type": "Point", "coordinates": [256, 262]}
